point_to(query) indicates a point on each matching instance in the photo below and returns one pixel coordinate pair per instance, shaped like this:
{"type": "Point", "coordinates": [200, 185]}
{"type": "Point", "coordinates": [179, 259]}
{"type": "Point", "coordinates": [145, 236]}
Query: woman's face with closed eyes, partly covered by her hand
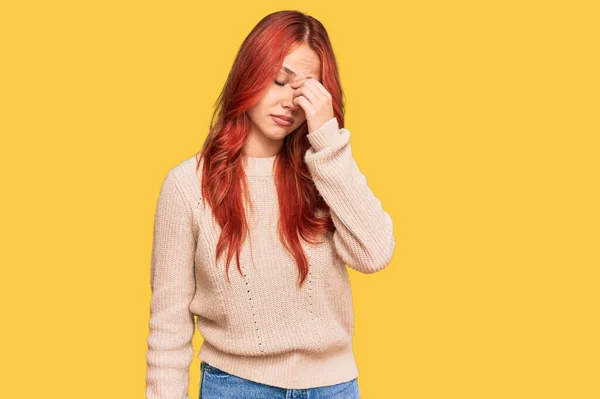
{"type": "Point", "coordinates": [266, 135]}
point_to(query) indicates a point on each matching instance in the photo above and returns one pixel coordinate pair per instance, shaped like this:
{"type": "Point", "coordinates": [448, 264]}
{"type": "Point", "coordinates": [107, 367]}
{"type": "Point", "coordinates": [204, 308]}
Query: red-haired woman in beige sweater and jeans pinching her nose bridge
{"type": "Point", "coordinates": [276, 185]}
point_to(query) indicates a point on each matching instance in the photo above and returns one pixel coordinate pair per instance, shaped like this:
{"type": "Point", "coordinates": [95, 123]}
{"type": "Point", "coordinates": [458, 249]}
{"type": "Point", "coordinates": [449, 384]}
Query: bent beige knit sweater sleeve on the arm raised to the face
{"type": "Point", "coordinates": [364, 237]}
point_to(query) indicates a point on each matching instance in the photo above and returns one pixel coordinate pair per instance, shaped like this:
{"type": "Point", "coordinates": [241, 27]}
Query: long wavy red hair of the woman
{"type": "Point", "coordinates": [224, 184]}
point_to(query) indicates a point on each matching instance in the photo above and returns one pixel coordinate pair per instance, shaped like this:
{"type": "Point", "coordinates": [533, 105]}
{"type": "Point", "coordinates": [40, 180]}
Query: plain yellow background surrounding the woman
{"type": "Point", "coordinates": [476, 124]}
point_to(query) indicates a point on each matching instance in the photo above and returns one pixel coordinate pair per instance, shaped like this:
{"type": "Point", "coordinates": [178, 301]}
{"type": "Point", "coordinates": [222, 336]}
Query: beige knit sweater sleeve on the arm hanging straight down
{"type": "Point", "coordinates": [170, 351]}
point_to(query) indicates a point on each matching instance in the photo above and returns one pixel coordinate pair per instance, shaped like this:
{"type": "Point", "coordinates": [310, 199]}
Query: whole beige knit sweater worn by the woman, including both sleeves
{"type": "Point", "coordinates": [261, 326]}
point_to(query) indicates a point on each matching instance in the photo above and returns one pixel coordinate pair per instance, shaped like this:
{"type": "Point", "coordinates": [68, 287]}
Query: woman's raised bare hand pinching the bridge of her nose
{"type": "Point", "coordinates": [315, 100]}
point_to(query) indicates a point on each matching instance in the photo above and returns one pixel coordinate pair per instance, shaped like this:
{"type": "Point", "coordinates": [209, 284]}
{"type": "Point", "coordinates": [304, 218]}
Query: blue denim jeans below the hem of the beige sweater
{"type": "Point", "coordinates": [218, 384]}
